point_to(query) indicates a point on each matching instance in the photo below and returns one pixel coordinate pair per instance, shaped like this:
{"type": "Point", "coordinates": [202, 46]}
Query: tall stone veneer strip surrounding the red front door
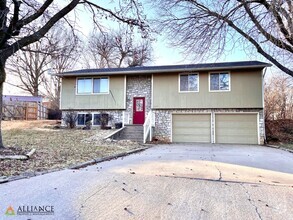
{"type": "Point", "coordinates": [138, 86]}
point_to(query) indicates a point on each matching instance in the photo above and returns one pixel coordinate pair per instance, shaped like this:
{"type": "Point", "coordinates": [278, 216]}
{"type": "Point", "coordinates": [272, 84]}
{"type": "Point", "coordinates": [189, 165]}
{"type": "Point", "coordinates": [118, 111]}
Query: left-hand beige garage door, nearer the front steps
{"type": "Point", "coordinates": [191, 128]}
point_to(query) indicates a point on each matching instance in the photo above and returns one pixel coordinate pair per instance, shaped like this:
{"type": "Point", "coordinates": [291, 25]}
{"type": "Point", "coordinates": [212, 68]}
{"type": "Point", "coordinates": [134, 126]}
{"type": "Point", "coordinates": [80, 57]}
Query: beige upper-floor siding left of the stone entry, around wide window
{"type": "Point", "coordinates": [114, 100]}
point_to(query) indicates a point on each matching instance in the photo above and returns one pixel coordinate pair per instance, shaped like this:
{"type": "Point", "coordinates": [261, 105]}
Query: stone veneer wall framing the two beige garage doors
{"type": "Point", "coordinates": [163, 122]}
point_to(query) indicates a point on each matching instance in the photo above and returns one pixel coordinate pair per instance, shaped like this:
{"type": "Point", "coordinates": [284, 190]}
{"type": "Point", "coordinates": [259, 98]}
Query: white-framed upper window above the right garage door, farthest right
{"type": "Point", "coordinates": [220, 81]}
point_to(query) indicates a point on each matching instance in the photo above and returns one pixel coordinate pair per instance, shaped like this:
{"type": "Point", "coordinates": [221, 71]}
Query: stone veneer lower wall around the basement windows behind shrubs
{"type": "Point", "coordinates": [115, 114]}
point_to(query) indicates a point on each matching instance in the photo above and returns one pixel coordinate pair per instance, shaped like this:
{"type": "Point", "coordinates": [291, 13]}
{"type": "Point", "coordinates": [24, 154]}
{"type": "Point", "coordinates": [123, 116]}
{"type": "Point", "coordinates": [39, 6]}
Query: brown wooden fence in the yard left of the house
{"type": "Point", "coordinates": [24, 111]}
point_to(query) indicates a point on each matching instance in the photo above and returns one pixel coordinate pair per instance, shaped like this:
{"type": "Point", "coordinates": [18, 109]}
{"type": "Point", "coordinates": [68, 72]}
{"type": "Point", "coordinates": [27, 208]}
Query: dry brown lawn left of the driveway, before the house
{"type": "Point", "coordinates": [55, 148]}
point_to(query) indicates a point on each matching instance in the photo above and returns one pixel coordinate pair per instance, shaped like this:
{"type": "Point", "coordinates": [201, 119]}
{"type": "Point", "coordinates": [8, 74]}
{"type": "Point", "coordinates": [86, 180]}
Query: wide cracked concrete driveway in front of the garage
{"type": "Point", "coordinates": [200, 181]}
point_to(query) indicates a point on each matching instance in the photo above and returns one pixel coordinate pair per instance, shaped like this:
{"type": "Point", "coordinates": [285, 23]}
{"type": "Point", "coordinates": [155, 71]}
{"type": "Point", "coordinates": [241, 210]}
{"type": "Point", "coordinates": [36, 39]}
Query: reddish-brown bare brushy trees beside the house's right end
{"type": "Point", "coordinates": [278, 96]}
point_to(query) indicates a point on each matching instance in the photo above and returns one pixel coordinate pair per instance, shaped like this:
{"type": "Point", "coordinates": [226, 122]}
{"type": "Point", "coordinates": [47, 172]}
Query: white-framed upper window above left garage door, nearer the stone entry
{"type": "Point", "coordinates": [188, 82]}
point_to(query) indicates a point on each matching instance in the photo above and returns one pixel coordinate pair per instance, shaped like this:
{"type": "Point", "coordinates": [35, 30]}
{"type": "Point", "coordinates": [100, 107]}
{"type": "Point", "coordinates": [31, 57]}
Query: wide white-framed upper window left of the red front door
{"type": "Point", "coordinates": [92, 85]}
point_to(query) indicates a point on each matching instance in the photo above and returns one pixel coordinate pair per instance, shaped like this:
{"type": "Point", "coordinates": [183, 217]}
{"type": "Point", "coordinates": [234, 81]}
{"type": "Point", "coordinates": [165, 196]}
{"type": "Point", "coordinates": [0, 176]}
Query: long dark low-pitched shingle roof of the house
{"type": "Point", "coordinates": [169, 68]}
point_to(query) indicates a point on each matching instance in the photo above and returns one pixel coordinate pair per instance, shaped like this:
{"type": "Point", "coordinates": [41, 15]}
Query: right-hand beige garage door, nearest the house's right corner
{"type": "Point", "coordinates": [236, 128]}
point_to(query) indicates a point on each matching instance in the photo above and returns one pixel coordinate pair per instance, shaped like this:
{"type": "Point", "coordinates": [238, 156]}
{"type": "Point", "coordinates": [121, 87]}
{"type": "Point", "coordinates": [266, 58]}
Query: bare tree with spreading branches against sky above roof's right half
{"type": "Point", "coordinates": [209, 27]}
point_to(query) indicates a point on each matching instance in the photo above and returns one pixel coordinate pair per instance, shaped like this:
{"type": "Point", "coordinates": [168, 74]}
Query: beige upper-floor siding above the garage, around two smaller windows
{"type": "Point", "coordinates": [246, 92]}
